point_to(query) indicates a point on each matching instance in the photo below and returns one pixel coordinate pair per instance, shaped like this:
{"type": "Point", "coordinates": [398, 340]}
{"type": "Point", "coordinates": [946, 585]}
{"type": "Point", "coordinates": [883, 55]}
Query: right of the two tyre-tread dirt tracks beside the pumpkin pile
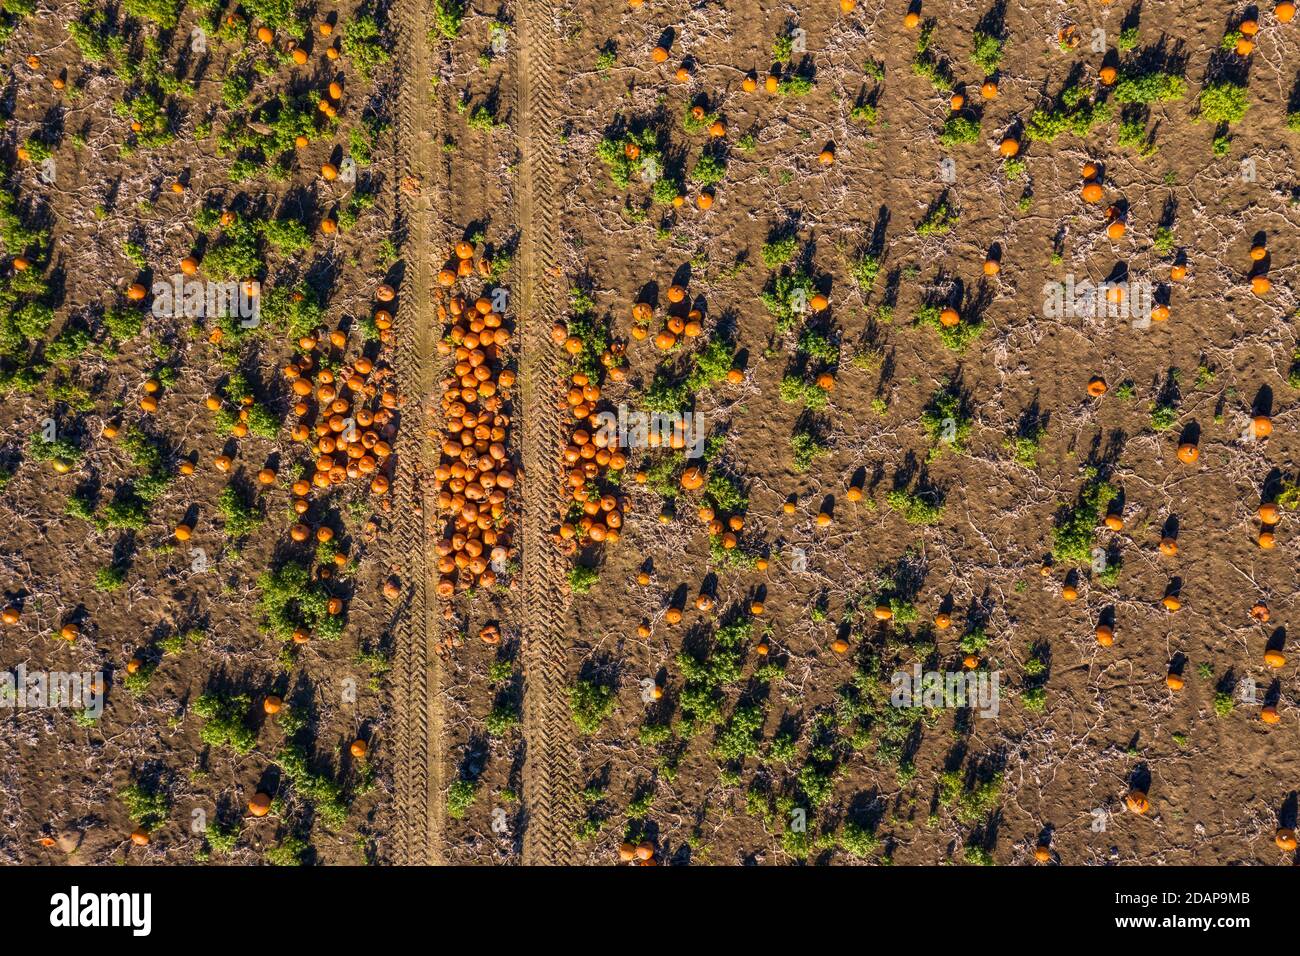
{"type": "Point", "coordinates": [551, 771]}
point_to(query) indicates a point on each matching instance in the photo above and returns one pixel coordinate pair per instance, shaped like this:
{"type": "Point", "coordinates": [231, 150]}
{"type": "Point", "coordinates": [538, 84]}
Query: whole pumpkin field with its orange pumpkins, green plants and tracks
{"type": "Point", "coordinates": [835, 239]}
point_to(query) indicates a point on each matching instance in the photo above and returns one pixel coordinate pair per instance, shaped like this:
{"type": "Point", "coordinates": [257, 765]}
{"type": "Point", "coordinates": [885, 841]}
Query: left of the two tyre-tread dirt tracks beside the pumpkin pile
{"type": "Point", "coordinates": [417, 703]}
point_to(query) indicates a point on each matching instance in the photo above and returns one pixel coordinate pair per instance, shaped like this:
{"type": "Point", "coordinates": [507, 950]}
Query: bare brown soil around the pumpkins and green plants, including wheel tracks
{"type": "Point", "coordinates": [476, 756]}
